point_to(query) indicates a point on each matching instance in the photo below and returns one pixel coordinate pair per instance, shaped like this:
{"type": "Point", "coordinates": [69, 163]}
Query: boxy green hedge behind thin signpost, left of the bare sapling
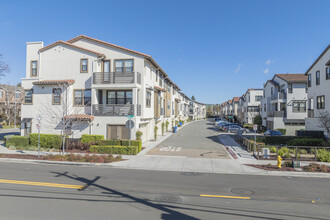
{"type": "Point", "coordinates": [46, 140]}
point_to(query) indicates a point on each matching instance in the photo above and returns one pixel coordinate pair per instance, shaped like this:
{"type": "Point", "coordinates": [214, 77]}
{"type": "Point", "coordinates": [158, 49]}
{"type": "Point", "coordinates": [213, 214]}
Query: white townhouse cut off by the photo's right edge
{"type": "Point", "coordinates": [318, 93]}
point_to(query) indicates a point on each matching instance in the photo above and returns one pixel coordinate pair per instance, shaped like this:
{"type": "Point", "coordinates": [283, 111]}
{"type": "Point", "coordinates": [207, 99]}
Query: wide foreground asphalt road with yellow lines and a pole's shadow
{"type": "Point", "coordinates": [111, 193]}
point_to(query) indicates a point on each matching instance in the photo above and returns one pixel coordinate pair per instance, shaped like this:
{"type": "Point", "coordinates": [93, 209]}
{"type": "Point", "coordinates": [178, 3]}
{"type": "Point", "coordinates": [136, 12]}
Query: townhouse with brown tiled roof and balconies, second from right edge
{"type": "Point", "coordinates": [283, 103]}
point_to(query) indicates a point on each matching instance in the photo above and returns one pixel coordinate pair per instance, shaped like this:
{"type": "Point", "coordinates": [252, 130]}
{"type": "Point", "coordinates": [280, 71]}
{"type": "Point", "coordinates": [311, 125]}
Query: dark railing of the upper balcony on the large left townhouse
{"type": "Point", "coordinates": [116, 78]}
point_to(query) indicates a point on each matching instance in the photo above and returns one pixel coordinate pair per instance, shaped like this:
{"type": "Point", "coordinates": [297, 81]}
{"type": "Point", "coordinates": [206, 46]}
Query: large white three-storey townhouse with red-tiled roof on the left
{"type": "Point", "coordinates": [90, 86]}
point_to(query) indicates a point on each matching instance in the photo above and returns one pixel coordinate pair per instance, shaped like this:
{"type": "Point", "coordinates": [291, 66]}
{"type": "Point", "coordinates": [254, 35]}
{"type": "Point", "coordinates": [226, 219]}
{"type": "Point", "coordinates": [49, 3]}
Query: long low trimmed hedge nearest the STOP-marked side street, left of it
{"type": "Point", "coordinates": [114, 149]}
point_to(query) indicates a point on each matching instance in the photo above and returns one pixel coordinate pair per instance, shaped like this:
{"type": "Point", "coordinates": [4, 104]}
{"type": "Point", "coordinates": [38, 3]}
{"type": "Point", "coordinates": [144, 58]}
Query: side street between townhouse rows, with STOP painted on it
{"type": "Point", "coordinates": [196, 140]}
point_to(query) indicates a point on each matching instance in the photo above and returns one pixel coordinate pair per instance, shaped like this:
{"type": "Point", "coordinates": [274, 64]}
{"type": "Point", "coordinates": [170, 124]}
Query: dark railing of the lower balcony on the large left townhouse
{"type": "Point", "coordinates": [115, 110]}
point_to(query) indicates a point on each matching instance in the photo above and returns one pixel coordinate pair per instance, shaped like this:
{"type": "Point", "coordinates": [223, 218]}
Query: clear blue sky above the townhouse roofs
{"type": "Point", "coordinates": [213, 50]}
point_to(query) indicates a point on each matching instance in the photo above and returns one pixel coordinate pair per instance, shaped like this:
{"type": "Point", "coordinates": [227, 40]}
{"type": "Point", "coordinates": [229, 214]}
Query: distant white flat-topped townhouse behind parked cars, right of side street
{"type": "Point", "coordinates": [251, 105]}
